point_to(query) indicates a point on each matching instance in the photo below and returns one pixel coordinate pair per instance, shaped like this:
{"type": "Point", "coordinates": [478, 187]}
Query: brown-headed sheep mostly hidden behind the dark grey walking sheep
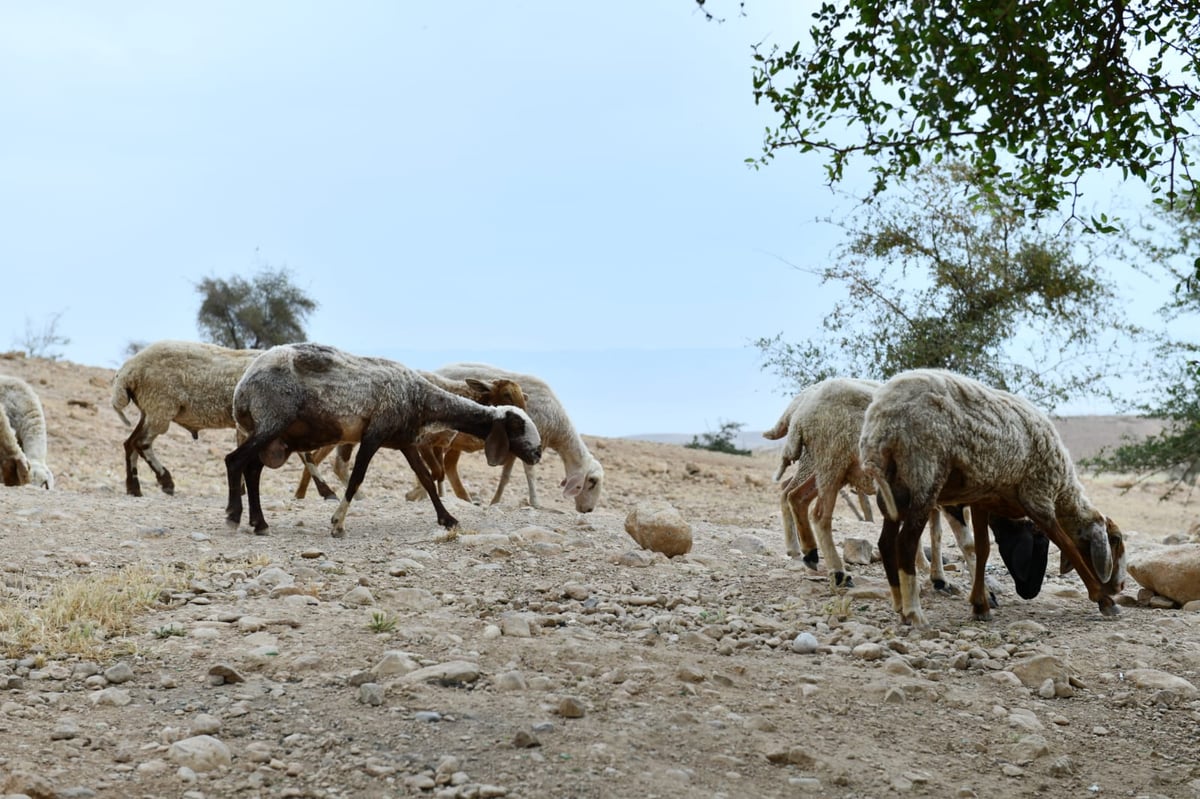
{"type": "Point", "coordinates": [436, 446]}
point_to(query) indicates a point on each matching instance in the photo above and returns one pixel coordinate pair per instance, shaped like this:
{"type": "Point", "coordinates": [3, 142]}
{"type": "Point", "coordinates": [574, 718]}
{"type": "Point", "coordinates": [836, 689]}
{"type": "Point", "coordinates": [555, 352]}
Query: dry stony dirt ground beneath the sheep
{"type": "Point", "coordinates": [539, 654]}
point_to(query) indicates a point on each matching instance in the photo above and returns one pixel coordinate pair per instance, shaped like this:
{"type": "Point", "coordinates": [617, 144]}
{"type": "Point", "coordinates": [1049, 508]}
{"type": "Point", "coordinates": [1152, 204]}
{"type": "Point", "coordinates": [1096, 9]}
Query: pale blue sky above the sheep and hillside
{"type": "Point", "coordinates": [554, 188]}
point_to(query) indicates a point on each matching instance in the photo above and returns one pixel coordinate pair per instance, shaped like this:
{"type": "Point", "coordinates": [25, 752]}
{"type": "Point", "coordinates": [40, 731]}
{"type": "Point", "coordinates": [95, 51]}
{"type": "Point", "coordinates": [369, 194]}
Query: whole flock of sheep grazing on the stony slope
{"type": "Point", "coordinates": [929, 443]}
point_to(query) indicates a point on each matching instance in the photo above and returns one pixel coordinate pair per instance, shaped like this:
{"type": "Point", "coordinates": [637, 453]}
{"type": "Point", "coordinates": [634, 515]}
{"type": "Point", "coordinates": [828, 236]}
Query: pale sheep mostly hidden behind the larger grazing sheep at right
{"type": "Point", "coordinates": [823, 425]}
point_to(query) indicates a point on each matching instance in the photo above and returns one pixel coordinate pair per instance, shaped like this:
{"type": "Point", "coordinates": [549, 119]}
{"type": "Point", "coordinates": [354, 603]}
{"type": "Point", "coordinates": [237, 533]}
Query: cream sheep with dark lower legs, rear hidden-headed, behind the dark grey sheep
{"type": "Point", "coordinates": [183, 382]}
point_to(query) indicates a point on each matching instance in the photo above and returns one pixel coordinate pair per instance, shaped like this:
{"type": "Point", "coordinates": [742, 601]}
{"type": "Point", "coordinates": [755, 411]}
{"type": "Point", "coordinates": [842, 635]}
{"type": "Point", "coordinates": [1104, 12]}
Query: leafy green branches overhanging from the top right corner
{"type": "Point", "coordinates": [1031, 95]}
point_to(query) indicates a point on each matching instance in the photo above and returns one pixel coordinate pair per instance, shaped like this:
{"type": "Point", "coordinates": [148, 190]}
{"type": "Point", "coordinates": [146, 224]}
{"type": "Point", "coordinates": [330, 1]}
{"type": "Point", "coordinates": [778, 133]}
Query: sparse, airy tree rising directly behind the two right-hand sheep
{"type": "Point", "coordinates": [943, 274]}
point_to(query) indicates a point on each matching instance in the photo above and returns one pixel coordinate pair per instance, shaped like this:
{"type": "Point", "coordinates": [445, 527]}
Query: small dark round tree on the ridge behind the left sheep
{"type": "Point", "coordinates": [254, 315]}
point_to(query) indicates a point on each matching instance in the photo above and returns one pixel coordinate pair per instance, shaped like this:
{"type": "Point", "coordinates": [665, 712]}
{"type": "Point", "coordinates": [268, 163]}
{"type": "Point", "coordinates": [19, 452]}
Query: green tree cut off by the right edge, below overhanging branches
{"type": "Point", "coordinates": [1177, 448]}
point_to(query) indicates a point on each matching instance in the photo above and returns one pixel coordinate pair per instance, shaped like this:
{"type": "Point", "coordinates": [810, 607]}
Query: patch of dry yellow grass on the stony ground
{"type": "Point", "coordinates": [85, 617]}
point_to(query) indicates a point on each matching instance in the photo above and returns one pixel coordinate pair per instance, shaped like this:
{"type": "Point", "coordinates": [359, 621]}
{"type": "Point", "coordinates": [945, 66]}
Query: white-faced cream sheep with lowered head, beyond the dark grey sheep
{"type": "Point", "coordinates": [585, 476]}
